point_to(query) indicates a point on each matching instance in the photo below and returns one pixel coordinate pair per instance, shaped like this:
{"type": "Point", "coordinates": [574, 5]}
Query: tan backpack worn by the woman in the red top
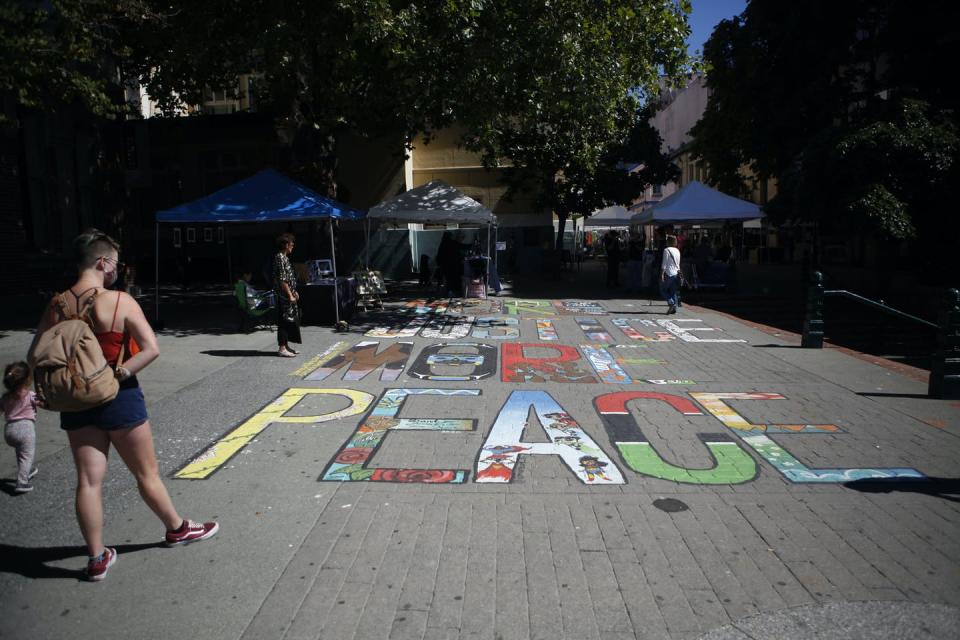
{"type": "Point", "coordinates": [70, 371]}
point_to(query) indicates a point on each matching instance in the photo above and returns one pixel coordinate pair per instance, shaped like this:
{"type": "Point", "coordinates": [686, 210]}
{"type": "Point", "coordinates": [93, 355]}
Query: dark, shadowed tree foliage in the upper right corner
{"type": "Point", "coordinates": [845, 104]}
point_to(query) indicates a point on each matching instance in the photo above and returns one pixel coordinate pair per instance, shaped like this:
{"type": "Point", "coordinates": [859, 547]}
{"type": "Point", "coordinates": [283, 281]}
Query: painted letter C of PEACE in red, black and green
{"type": "Point", "coordinates": [731, 464]}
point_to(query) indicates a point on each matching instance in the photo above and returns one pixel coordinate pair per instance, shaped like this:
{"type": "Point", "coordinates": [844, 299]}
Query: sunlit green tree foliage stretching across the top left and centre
{"type": "Point", "coordinates": [547, 87]}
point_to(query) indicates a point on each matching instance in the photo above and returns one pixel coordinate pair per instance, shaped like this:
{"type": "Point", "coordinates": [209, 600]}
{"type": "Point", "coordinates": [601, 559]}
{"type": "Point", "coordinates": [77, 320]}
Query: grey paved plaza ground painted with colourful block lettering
{"type": "Point", "coordinates": [567, 548]}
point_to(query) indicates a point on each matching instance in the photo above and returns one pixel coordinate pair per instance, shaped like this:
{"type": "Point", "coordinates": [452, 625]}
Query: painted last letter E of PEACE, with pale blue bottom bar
{"type": "Point", "coordinates": [754, 435]}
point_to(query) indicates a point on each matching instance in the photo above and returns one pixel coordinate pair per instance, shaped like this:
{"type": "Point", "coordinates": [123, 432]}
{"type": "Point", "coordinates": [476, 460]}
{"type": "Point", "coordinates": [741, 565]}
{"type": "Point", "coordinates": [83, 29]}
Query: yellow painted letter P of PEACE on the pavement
{"type": "Point", "coordinates": [217, 454]}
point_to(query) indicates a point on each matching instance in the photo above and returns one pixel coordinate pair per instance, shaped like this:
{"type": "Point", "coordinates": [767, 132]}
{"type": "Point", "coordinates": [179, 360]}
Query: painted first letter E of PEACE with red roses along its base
{"type": "Point", "coordinates": [350, 463]}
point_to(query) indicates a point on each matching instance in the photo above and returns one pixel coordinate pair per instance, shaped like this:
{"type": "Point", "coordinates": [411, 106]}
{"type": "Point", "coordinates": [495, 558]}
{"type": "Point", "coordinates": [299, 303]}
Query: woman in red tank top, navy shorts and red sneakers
{"type": "Point", "coordinates": [119, 325]}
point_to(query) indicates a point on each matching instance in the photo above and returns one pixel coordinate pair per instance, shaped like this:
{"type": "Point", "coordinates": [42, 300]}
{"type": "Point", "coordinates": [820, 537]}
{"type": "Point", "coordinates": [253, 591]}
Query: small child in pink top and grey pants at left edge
{"type": "Point", "coordinates": [20, 412]}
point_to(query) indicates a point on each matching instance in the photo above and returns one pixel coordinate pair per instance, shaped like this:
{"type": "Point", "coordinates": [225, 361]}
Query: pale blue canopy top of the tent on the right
{"type": "Point", "coordinates": [696, 203]}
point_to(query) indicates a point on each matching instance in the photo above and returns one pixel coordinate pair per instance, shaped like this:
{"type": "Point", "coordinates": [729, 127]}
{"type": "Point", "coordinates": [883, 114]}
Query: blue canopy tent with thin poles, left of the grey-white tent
{"type": "Point", "coordinates": [265, 197]}
